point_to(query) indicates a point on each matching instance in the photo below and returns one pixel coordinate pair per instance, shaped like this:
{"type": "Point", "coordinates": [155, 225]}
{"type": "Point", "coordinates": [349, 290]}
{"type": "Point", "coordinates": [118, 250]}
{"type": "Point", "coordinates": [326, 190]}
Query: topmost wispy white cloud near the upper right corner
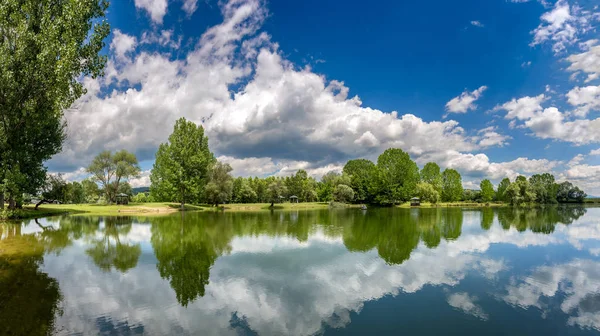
{"type": "Point", "coordinates": [562, 26]}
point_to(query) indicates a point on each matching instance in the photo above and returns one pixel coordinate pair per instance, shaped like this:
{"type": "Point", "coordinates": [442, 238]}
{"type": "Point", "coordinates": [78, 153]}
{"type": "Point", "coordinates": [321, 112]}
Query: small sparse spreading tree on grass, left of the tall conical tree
{"type": "Point", "coordinates": [111, 169]}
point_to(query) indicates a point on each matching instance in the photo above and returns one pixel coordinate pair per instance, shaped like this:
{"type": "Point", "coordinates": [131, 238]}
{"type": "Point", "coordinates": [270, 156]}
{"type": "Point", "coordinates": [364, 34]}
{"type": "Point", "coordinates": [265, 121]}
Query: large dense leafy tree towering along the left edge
{"type": "Point", "coordinates": [45, 47]}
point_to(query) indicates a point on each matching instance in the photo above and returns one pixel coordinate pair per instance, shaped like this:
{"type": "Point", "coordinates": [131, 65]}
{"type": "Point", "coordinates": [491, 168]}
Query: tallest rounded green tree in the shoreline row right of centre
{"type": "Point", "coordinates": [397, 177]}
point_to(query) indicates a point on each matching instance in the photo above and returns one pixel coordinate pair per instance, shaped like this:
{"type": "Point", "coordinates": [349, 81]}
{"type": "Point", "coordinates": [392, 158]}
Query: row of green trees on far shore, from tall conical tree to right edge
{"type": "Point", "coordinates": [186, 170]}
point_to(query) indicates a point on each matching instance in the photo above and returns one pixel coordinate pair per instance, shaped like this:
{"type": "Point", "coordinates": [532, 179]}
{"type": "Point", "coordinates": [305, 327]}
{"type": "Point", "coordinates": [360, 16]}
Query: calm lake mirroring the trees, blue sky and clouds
{"type": "Point", "coordinates": [334, 272]}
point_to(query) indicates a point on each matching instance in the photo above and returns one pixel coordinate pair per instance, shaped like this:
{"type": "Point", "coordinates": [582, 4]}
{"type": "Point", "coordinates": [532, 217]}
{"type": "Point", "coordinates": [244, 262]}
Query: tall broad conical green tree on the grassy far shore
{"type": "Point", "coordinates": [181, 168]}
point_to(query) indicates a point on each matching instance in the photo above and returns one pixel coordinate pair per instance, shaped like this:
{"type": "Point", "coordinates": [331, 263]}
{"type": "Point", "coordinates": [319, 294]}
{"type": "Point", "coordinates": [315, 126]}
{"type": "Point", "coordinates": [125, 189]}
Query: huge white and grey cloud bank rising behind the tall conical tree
{"type": "Point", "coordinates": [282, 116]}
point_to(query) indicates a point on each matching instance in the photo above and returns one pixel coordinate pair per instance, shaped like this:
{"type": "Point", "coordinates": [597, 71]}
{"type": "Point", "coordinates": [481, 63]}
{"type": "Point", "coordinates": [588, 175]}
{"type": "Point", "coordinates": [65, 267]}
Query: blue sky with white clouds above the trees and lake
{"type": "Point", "coordinates": [281, 86]}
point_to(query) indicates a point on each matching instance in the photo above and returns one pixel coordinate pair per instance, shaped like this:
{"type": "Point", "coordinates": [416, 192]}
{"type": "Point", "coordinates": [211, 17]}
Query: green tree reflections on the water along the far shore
{"type": "Point", "coordinates": [187, 245]}
